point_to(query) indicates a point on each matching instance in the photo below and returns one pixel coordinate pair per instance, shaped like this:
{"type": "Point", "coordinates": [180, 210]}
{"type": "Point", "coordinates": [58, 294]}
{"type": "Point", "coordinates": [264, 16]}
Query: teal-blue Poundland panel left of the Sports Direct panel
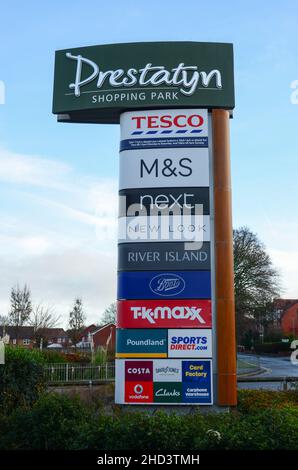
{"type": "Point", "coordinates": [141, 342]}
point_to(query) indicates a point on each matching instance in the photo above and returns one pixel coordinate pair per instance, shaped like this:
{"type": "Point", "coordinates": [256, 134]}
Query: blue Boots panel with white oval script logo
{"type": "Point", "coordinates": [161, 285]}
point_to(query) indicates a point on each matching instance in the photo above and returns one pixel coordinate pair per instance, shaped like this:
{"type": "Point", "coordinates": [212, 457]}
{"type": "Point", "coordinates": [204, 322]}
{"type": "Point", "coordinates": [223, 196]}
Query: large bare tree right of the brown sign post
{"type": "Point", "coordinates": [256, 282]}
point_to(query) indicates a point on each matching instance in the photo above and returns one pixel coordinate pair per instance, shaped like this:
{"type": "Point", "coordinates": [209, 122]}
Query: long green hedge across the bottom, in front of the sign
{"type": "Point", "coordinates": [59, 422]}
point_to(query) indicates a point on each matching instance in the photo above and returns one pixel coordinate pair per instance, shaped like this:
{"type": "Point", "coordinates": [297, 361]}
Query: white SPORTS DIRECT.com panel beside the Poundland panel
{"type": "Point", "coordinates": [190, 343]}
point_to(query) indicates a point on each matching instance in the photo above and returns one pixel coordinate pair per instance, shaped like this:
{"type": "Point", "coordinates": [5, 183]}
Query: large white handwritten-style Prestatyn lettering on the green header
{"type": "Point", "coordinates": [187, 78]}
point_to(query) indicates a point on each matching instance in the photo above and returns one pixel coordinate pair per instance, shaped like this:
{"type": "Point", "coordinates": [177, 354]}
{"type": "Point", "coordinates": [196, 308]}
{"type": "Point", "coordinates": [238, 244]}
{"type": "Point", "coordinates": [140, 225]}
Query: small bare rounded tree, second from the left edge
{"type": "Point", "coordinates": [43, 317]}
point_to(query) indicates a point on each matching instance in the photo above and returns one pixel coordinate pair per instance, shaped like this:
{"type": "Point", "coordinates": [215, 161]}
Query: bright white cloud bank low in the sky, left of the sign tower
{"type": "Point", "coordinates": [57, 234]}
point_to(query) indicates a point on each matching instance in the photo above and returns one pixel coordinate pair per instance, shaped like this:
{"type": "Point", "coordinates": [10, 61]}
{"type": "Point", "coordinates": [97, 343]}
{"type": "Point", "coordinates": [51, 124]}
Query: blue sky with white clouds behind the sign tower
{"type": "Point", "coordinates": [57, 178]}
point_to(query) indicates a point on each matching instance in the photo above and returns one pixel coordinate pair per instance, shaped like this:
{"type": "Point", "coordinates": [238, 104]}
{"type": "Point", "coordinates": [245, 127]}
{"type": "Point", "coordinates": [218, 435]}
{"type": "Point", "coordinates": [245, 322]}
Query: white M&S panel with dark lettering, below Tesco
{"type": "Point", "coordinates": [152, 168]}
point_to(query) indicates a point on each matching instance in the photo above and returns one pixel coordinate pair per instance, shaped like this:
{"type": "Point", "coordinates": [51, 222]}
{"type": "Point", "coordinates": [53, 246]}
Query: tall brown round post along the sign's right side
{"type": "Point", "coordinates": [224, 284]}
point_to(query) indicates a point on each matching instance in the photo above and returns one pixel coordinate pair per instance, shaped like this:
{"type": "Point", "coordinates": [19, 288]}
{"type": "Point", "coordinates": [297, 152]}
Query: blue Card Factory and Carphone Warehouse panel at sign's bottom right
{"type": "Point", "coordinates": [197, 382]}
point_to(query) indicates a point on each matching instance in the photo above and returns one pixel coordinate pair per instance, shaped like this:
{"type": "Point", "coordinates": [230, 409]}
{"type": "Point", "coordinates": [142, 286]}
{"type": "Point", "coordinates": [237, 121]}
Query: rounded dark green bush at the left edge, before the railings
{"type": "Point", "coordinates": [21, 378]}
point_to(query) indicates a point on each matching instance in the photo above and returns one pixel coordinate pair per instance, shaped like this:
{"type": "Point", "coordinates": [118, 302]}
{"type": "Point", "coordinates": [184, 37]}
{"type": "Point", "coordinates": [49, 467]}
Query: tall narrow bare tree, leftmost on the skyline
{"type": "Point", "coordinates": [21, 307]}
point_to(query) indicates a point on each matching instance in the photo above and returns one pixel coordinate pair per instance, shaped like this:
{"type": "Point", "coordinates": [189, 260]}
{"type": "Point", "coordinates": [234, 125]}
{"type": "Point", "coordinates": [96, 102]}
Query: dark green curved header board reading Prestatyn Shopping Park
{"type": "Point", "coordinates": [97, 83]}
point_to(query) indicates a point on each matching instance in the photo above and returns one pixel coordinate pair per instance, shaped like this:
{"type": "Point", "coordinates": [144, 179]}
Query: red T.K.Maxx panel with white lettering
{"type": "Point", "coordinates": [164, 314]}
